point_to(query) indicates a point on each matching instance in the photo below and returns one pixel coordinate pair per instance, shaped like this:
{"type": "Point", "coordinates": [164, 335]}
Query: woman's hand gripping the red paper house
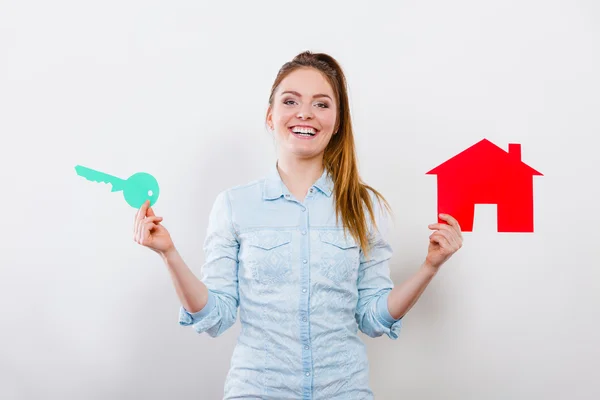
{"type": "Point", "coordinates": [444, 242]}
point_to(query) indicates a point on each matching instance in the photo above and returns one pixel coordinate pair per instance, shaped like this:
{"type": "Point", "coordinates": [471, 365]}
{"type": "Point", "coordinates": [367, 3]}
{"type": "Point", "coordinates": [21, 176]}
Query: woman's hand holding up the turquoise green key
{"type": "Point", "coordinates": [148, 231]}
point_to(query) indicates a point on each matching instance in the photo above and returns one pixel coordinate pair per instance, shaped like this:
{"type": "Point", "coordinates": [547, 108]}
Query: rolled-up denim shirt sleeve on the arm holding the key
{"type": "Point", "coordinates": [219, 273]}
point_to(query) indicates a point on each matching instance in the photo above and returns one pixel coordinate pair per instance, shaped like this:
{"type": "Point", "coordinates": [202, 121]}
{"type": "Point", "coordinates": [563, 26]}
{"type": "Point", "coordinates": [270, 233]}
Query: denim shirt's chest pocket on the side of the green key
{"type": "Point", "coordinates": [269, 256]}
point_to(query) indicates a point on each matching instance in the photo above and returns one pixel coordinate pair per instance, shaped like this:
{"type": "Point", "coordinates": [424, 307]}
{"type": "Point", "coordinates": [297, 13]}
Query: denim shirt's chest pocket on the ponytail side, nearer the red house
{"type": "Point", "coordinates": [339, 256]}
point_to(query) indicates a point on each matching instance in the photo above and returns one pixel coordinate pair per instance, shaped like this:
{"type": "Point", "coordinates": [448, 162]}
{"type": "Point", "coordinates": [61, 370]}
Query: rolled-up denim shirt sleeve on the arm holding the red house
{"type": "Point", "coordinates": [375, 284]}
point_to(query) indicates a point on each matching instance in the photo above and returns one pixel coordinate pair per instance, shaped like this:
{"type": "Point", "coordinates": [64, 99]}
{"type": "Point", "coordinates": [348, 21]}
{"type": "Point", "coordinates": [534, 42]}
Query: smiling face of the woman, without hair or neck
{"type": "Point", "coordinates": [303, 114]}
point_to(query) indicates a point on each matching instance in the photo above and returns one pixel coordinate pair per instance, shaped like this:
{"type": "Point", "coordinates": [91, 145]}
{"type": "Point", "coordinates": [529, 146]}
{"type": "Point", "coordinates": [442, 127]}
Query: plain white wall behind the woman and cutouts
{"type": "Point", "coordinates": [179, 89]}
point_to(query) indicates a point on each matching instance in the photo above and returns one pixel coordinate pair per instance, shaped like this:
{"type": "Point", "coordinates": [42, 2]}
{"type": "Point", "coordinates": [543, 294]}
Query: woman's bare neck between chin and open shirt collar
{"type": "Point", "coordinates": [299, 175]}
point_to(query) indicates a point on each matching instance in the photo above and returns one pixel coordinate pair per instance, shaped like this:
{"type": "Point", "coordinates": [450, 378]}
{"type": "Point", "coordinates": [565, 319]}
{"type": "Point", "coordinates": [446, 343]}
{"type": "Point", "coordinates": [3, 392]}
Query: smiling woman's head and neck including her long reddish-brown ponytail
{"type": "Point", "coordinates": [309, 101]}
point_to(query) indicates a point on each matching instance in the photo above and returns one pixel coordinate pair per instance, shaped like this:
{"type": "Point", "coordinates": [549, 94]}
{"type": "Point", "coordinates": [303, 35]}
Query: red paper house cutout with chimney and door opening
{"type": "Point", "coordinates": [486, 174]}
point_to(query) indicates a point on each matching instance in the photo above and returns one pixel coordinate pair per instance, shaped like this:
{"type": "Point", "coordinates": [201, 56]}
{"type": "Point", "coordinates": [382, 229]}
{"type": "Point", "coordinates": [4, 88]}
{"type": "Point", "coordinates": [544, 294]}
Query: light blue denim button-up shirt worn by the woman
{"type": "Point", "coordinates": [303, 287]}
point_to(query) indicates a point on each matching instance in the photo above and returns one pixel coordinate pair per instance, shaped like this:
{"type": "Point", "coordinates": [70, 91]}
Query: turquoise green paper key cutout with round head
{"type": "Point", "coordinates": [138, 188]}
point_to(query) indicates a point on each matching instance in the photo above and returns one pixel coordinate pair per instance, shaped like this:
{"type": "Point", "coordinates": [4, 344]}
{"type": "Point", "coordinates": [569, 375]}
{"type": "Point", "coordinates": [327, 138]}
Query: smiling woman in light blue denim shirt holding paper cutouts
{"type": "Point", "coordinates": [299, 253]}
